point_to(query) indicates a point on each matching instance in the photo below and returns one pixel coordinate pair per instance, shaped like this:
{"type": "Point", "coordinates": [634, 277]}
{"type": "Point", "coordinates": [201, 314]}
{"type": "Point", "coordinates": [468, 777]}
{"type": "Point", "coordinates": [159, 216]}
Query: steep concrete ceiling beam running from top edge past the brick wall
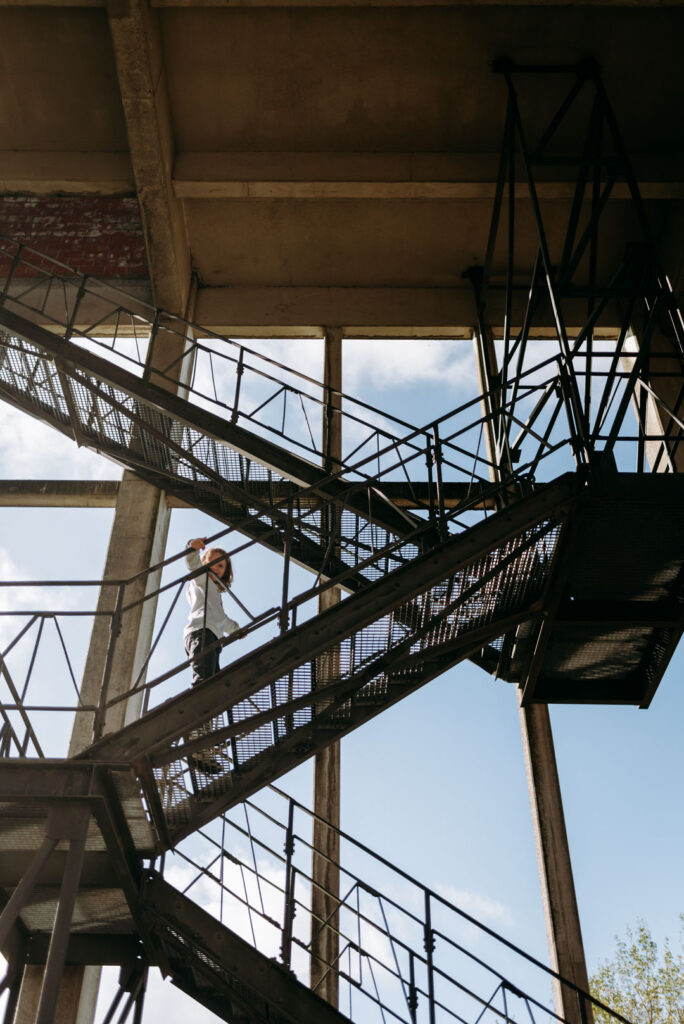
{"type": "Point", "coordinates": [140, 61]}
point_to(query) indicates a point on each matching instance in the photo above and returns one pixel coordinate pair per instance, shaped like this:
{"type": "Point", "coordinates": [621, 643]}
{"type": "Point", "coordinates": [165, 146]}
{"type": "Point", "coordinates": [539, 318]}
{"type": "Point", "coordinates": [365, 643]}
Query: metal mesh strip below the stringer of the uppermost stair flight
{"type": "Point", "coordinates": [144, 438]}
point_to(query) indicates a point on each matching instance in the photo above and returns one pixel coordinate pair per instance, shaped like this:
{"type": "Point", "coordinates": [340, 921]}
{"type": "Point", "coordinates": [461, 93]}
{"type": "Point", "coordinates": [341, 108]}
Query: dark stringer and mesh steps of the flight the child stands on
{"type": "Point", "coordinates": [409, 627]}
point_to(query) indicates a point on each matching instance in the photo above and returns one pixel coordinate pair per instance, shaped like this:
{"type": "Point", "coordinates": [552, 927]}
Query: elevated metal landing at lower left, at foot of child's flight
{"type": "Point", "coordinates": [49, 807]}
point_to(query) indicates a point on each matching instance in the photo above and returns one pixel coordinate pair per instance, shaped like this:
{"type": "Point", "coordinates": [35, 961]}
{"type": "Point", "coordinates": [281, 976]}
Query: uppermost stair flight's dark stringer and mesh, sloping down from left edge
{"type": "Point", "coordinates": [201, 458]}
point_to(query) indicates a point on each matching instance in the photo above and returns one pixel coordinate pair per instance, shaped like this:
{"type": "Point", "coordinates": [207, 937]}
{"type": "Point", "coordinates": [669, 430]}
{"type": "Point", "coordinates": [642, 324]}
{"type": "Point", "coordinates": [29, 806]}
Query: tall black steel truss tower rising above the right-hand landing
{"type": "Point", "coordinates": [592, 382]}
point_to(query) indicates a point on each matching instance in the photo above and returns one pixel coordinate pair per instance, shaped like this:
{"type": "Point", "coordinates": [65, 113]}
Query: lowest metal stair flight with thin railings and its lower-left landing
{"type": "Point", "coordinates": [399, 950]}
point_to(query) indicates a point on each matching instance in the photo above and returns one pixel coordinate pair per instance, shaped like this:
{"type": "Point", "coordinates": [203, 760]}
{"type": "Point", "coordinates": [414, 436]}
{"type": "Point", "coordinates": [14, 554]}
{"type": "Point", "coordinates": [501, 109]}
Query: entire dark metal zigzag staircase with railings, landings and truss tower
{"type": "Point", "coordinates": [535, 592]}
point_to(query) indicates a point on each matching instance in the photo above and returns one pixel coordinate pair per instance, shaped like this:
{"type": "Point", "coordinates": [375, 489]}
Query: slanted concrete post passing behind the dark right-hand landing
{"type": "Point", "coordinates": [553, 855]}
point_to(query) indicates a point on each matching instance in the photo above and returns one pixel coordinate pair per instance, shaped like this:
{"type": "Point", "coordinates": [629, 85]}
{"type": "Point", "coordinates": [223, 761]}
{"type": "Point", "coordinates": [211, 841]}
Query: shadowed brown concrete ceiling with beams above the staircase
{"type": "Point", "coordinates": [318, 164]}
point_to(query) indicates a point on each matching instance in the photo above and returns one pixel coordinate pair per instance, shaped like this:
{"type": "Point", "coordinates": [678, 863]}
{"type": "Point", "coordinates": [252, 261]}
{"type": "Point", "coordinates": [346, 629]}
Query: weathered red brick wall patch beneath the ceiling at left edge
{"type": "Point", "coordinates": [101, 236]}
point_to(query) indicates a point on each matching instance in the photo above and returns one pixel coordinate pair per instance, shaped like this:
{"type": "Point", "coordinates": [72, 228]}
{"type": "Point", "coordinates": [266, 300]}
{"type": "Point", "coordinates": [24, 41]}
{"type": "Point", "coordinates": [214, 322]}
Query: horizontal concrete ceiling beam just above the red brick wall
{"type": "Point", "coordinates": [311, 176]}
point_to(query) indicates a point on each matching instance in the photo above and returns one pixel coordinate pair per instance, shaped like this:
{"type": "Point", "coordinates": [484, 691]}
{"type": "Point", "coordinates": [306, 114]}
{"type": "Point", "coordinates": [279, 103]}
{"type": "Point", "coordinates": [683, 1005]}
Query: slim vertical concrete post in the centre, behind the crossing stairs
{"type": "Point", "coordinates": [325, 873]}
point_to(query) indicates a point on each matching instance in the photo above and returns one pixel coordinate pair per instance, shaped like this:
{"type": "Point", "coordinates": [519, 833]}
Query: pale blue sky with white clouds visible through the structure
{"type": "Point", "coordinates": [437, 784]}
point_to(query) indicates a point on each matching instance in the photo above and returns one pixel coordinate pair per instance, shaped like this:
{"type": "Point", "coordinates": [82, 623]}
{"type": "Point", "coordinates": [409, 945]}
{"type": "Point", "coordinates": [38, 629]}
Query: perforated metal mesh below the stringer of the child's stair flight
{"type": "Point", "coordinates": [476, 599]}
